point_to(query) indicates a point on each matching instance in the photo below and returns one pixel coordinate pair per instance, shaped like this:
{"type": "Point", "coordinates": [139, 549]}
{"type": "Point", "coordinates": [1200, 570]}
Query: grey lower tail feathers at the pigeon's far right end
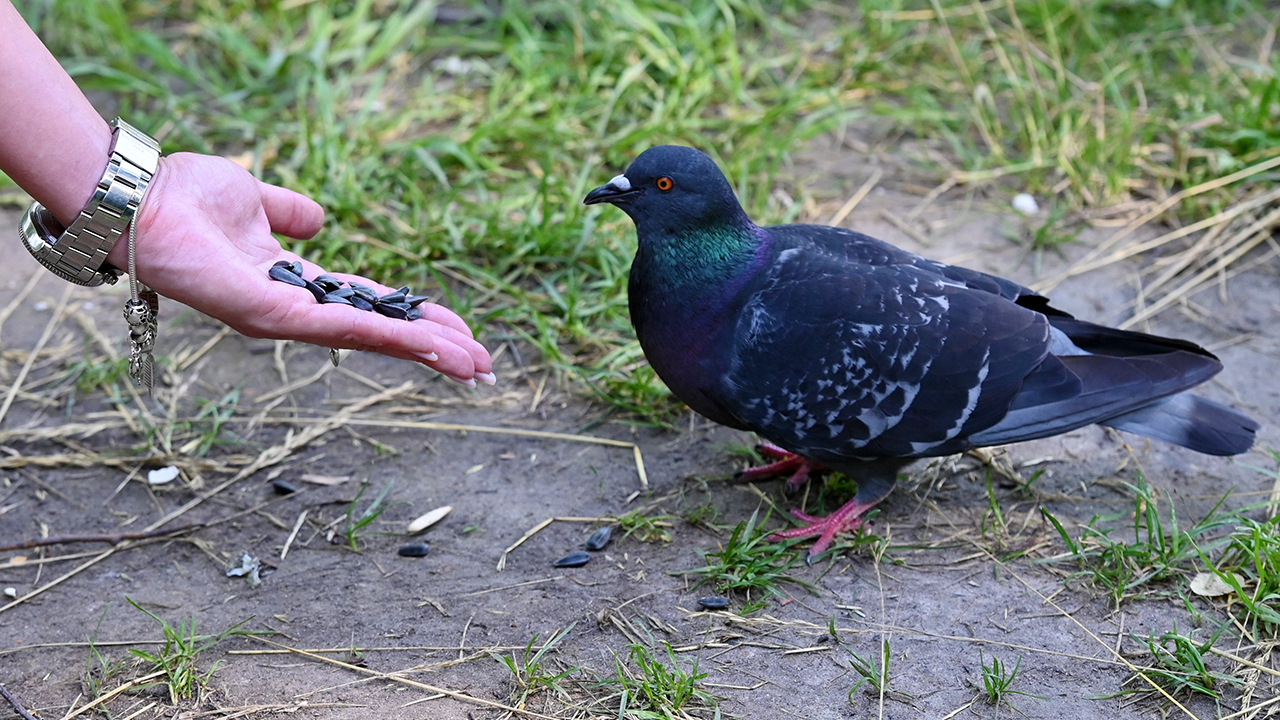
{"type": "Point", "coordinates": [1192, 422]}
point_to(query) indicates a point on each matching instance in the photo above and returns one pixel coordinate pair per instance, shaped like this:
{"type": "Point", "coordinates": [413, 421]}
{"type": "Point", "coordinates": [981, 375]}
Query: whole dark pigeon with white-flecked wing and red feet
{"type": "Point", "coordinates": [851, 354]}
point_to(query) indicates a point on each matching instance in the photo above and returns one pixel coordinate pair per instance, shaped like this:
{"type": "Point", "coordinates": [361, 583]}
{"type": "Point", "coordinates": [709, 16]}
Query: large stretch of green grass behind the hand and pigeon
{"type": "Point", "coordinates": [447, 151]}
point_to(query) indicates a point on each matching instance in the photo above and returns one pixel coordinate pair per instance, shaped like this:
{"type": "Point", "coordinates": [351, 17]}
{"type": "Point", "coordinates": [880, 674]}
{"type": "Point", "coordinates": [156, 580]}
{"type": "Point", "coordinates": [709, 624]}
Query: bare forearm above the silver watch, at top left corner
{"type": "Point", "coordinates": [53, 143]}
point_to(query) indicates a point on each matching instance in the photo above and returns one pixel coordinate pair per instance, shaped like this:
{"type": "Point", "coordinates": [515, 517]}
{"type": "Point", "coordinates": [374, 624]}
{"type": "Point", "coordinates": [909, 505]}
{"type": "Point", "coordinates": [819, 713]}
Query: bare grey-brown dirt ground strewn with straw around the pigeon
{"type": "Point", "coordinates": [940, 598]}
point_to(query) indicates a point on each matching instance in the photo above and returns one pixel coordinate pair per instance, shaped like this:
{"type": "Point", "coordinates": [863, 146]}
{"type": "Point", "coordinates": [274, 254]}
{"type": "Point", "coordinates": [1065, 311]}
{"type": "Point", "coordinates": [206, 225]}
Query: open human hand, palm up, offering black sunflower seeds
{"type": "Point", "coordinates": [204, 239]}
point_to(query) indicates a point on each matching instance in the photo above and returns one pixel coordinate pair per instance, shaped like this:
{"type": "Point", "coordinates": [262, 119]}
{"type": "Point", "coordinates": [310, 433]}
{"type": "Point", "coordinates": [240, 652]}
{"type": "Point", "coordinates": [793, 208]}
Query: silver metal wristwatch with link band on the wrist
{"type": "Point", "coordinates": [79, 254]}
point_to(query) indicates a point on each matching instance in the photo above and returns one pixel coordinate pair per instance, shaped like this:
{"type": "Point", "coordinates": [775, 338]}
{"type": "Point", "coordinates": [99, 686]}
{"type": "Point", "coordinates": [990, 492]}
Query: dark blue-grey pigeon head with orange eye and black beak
{"type": "Point", "coordinates": [673, 190]}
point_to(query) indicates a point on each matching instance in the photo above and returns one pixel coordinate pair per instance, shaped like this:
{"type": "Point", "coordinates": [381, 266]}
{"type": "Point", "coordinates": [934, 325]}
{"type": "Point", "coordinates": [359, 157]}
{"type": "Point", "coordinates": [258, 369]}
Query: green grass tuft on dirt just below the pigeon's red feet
{"type": "Point", "coordinates": [749, 563]}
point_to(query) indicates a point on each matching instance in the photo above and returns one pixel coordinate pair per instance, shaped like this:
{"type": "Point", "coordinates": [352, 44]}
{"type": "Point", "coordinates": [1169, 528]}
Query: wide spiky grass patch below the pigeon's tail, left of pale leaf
{"type": "Point", "coordinates": [1160, 548]}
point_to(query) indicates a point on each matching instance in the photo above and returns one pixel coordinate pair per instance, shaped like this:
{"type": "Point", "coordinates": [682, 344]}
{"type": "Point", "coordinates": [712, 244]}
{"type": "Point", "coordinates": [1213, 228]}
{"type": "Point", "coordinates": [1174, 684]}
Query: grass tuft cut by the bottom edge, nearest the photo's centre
{"type": "Point", "coordinates": [653, 690]}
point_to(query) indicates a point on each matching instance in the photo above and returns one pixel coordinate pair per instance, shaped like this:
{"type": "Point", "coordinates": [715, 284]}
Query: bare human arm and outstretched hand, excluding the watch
{"type": "Point", "coordinates": [205, 230]}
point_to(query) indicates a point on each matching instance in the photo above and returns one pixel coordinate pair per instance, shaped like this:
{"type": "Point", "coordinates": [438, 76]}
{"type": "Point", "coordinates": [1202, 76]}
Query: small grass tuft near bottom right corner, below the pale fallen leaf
{"type": "Point", "coordinates": [1178, 668]}
